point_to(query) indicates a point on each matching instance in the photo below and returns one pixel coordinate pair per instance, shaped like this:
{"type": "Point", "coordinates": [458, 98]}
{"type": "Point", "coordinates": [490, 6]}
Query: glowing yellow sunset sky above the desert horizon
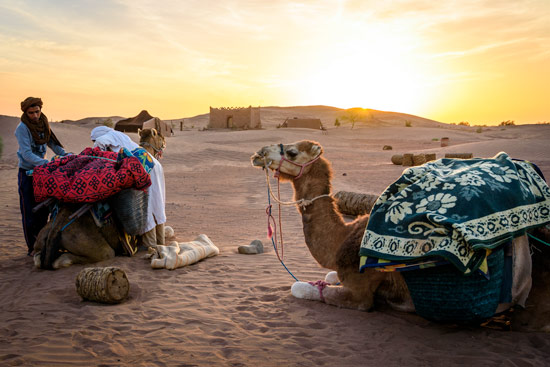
{"type": "Point", "coordinates": [478, 61]}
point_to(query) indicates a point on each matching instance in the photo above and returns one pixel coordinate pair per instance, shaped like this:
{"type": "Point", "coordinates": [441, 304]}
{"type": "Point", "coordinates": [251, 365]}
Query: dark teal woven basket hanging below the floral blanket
{"type": "Point", "coordinates": [444, 294]}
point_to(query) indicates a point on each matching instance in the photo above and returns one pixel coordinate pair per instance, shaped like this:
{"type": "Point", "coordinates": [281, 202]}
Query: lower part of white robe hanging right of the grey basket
{"type": "Point", "coordinates": [157, 197]}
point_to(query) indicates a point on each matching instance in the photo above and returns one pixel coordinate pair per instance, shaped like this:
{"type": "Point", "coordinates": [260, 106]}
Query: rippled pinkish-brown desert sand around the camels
{"type": "Point", "coordinates": [233, 309]}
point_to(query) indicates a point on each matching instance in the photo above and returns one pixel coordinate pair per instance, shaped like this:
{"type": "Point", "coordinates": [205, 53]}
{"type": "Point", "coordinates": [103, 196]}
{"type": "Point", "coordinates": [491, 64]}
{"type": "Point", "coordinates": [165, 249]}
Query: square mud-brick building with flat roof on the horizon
{"type": "Point", "coordinates": [235, 118]}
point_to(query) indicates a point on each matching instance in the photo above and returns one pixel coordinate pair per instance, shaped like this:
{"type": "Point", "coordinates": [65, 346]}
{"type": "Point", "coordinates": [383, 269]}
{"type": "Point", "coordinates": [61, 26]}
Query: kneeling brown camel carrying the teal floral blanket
{"type": "Point", "coordinates": [335, 243]}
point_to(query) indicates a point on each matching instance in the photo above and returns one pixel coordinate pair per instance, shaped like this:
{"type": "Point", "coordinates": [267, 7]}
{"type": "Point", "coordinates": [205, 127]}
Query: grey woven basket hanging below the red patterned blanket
{"type": "Point", "coordinates": [130, 207]}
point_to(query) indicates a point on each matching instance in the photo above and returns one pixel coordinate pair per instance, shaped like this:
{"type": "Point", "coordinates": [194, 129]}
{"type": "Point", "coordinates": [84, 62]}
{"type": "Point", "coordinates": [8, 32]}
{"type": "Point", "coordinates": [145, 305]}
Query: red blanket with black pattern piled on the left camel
{"type": "Point", "coordinates": [91, 176]}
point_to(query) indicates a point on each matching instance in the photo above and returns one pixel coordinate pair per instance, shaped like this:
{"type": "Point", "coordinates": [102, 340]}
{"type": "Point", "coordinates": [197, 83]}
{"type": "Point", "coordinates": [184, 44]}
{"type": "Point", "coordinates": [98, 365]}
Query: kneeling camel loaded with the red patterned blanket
{"type": "Point", "coordinates": [60, 244]}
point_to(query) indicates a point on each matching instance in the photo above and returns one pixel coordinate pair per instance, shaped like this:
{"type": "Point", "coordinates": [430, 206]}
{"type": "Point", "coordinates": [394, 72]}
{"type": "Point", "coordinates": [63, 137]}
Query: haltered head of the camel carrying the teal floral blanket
{"type": "Point", "coordinates": [289, 160]}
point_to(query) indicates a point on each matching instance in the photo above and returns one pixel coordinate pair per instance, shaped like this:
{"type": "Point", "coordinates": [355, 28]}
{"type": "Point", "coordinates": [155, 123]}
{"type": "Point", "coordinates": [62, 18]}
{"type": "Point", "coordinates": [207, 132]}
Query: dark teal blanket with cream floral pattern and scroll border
{"type": "Point", "coordinates": [456, 209]}
